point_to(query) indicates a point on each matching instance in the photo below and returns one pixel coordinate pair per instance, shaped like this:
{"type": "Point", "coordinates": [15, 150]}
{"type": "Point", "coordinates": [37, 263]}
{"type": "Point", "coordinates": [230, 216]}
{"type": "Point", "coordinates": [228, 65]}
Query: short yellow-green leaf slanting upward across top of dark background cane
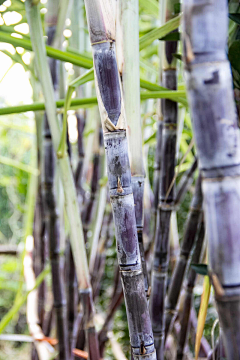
{"type": "Point", "coordinates": [160, 32]}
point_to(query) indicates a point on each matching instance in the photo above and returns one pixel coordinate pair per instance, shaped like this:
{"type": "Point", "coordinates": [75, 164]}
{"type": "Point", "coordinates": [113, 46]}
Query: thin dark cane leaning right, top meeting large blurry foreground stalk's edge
{"type": "Point", "coordinates": [186, 247]}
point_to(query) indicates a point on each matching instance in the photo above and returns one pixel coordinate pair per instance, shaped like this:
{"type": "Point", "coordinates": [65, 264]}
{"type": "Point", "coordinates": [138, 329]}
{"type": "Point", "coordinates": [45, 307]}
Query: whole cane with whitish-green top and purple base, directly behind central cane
{"type": "Point", "coordinates": [128, 66]}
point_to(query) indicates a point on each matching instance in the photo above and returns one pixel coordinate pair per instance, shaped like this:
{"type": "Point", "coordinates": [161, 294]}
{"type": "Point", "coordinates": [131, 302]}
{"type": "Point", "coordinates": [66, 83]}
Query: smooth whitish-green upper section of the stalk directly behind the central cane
{"type": "Point", "coordinates": [128, 64]}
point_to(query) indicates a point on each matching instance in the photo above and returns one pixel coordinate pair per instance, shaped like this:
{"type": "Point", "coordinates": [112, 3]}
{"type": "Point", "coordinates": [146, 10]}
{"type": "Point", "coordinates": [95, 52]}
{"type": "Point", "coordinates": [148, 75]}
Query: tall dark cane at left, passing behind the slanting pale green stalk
{"type": "Point", "coordinates": [50, 208]}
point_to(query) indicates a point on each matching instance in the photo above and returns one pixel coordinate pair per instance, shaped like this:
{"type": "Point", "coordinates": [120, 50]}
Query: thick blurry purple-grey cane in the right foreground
{"type": "Point", "coordinates": [210, 93]}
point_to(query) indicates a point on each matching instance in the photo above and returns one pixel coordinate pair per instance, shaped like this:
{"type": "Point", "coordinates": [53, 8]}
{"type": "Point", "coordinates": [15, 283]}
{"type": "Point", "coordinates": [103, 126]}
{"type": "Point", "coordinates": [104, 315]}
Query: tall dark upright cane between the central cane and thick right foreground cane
{"type": "Point", "coordinates": [166, 198]}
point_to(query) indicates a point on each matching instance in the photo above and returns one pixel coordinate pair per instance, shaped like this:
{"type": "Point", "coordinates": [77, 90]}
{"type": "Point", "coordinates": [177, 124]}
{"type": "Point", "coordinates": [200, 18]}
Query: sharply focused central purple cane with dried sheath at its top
{"type": "Point", "coordinates": [102, 35]}
